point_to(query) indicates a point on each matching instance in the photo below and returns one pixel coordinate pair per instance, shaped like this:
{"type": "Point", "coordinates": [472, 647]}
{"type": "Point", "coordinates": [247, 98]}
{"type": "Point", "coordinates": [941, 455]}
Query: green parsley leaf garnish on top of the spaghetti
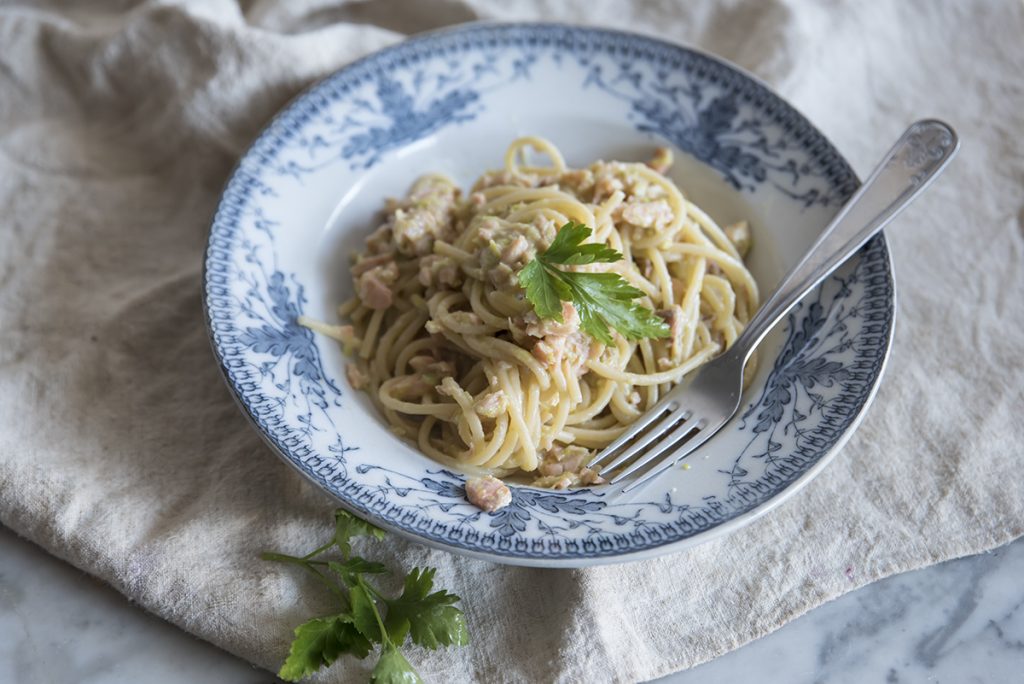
{"type": "Point", "coordinates": [603, 301]}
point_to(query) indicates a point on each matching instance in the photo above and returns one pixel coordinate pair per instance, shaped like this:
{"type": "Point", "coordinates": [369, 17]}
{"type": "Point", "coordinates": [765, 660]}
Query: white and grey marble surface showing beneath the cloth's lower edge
{"type": "Point", "coordinates": [960, 622]}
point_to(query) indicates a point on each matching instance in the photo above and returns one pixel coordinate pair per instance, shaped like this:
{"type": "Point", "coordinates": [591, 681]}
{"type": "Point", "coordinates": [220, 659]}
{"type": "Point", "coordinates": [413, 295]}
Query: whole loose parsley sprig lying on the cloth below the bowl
{"type": "Point", "coordinates": [367, 617]}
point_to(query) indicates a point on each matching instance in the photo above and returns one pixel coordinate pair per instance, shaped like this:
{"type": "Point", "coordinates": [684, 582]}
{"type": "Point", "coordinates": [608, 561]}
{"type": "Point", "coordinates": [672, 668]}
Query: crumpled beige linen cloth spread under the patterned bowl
{"type": "Point", "coordinates": [122, 452]}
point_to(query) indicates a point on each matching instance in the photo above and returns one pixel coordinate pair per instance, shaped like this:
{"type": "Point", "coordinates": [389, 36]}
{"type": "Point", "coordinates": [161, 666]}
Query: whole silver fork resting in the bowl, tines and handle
{"type": "Point", "coordinates": [713, 398]}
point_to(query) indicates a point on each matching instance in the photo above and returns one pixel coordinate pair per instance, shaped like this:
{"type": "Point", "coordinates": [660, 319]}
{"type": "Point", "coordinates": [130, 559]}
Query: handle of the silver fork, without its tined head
{"type": "Point", "coordinates": [920, 155]}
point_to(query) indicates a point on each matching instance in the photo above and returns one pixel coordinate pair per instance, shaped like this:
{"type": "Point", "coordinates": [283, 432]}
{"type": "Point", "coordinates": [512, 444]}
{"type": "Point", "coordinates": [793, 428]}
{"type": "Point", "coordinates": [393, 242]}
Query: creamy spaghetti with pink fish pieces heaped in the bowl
{"type": "Point", "coordinates": [444, 340]}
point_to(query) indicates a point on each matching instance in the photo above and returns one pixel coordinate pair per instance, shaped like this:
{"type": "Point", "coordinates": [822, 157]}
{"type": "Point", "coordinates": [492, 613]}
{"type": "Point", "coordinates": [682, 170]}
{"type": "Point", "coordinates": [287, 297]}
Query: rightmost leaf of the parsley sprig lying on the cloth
{"type": "Point", "coordinates": [431, 619]}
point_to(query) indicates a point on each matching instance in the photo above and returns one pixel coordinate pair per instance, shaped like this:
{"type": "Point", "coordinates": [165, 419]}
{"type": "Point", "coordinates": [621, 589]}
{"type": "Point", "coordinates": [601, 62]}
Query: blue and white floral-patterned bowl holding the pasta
{"type": "Point", "coordinates": [307, 193]}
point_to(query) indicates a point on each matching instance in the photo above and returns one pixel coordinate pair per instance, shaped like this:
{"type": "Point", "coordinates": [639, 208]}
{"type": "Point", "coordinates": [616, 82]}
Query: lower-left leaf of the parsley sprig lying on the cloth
{"type": "Point", "coordinates": [319, 643]}
